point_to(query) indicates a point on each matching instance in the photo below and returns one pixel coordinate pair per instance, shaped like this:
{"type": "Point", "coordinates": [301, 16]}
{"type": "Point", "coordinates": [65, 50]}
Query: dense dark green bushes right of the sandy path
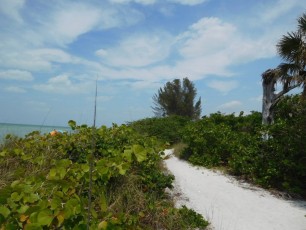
{"type": "Point", "coordinates": [271, 156]}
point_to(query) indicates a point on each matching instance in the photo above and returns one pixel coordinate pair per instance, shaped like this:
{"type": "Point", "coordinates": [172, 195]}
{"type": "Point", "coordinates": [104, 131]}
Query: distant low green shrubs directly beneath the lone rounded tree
{"type": "Point", "coordinates": [168, 129]}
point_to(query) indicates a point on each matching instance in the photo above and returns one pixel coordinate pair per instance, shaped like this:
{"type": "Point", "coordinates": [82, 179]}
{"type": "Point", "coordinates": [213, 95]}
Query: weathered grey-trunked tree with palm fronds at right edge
{"type": "Point", "coordinates": [291, 74]}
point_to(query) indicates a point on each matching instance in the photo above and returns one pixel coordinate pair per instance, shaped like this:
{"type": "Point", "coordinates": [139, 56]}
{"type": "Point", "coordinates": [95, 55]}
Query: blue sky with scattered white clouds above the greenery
{"type": "Point", "coordinates": [52, 52]}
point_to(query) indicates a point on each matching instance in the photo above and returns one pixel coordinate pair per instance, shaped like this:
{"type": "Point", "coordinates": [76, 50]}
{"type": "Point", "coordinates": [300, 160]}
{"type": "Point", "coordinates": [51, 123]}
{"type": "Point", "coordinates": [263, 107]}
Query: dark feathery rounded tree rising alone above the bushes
{"type": "Point", "coordinates": [177, 99]}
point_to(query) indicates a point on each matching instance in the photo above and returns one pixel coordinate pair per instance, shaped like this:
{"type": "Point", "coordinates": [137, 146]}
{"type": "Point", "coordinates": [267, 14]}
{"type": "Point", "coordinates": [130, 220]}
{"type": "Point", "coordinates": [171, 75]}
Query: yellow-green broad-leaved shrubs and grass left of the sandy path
{"type": "Point", "coordinates": [44, 182]}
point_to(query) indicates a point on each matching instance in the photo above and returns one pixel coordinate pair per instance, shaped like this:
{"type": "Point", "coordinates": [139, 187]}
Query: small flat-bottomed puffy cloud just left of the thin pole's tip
{"type": "Point", "coordinates": [62, 84]}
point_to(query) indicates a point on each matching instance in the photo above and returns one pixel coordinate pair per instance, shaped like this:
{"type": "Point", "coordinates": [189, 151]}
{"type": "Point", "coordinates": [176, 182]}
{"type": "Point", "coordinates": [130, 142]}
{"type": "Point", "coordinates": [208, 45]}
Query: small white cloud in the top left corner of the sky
{"type": "Point", "coordinates": [11, 9]}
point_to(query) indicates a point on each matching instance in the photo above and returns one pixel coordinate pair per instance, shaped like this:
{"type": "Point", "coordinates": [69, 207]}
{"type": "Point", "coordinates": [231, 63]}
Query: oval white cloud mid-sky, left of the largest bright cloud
{"type": "Point", "coordinates": [137, 50]}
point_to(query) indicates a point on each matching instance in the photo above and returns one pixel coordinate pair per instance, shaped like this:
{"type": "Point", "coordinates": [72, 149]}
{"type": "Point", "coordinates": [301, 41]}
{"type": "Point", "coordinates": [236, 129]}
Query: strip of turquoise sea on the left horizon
{"type": "Point", "coordinates": [22, 130]}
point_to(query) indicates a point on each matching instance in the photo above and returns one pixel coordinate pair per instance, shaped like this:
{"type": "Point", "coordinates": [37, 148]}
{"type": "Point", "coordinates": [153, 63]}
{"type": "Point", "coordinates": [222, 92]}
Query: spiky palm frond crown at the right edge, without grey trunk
{"type": "Point", "coordinates": [292, 48]}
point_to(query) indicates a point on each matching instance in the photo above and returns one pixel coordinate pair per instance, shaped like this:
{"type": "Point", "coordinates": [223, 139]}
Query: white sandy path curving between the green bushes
{"type": "Point", "coordinates": [232, 205]}
